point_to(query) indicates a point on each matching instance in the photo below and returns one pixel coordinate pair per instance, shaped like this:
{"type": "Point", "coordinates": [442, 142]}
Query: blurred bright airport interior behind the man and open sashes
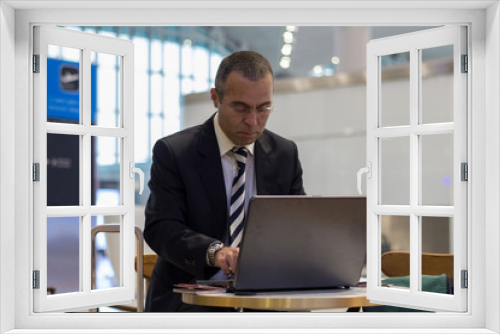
{"type": "Point", "coordinates": [320, 103]}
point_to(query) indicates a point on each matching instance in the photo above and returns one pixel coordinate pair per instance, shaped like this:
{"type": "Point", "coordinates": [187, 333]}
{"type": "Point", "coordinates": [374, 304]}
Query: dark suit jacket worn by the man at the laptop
{"type": "Point", "coordinates": [187, 208]}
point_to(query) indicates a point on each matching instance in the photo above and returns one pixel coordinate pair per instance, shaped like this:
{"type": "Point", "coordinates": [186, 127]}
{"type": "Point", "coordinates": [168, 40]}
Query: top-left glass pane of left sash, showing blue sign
{"type": "Point", "coordinates": [63, 84]}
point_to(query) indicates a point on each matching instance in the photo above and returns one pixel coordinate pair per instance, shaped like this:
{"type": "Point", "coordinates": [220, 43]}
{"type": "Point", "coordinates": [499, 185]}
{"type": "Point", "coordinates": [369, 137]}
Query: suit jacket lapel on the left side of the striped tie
{"type": "Point", "coordinates": [210, 170]}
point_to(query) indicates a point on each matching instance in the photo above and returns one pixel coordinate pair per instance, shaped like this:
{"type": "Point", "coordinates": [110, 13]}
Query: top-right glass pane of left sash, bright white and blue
{"type": "Point", "coordinates": [106, 85]}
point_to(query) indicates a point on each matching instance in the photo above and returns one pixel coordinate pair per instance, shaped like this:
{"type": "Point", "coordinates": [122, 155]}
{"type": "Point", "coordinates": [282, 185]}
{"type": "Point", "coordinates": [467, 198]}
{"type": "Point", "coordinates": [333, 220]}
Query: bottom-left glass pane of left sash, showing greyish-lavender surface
{"type": "Point", "coordinates": [63, 255]}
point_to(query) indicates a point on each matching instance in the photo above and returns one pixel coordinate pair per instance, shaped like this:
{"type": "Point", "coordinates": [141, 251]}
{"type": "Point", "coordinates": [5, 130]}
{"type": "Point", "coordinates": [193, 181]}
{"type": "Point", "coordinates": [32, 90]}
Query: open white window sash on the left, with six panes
{"type": "Point", "coordinates": [87, 43]}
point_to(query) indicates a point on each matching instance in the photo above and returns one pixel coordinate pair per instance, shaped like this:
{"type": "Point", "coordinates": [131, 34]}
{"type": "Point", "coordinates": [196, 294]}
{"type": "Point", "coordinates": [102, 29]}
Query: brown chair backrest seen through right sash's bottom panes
{"type": "Point", "coordinates": [397, 263]}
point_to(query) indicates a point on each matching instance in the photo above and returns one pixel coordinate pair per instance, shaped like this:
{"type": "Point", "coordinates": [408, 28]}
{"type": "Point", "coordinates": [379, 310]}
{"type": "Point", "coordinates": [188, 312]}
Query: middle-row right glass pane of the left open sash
{"type": "Point", "coordinates": [106, 171]}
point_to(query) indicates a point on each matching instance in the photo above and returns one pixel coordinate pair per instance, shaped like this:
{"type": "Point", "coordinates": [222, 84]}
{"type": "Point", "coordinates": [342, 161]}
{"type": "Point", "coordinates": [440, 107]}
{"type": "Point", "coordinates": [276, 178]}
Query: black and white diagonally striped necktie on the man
{"type": "Point", "coordinates": [237, 205]}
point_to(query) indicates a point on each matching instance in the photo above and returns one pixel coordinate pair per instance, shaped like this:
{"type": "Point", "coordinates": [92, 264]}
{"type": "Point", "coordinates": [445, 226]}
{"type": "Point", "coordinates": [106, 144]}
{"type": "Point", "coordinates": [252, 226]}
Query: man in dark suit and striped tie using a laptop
{"type": "Point", "coordinates": [203, 177]}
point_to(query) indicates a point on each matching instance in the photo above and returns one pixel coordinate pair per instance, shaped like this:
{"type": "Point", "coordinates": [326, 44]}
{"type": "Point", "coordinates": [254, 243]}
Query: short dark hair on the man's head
{"type": "Point", "coordinates": [252, 65]}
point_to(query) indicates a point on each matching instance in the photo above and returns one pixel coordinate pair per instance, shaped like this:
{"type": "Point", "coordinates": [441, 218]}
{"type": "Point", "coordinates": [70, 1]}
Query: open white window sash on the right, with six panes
{"type": "Point", "coordinates": [415, 210]}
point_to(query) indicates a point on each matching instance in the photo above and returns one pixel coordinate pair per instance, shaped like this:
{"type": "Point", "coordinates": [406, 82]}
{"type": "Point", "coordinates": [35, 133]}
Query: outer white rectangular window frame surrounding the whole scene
{"type": "Point", "coordinates": [484, 145]}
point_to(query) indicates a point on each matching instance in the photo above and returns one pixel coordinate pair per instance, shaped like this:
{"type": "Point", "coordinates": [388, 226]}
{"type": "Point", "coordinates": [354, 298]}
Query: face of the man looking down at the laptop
{"type": "Point", "coordinates": [245, 107]}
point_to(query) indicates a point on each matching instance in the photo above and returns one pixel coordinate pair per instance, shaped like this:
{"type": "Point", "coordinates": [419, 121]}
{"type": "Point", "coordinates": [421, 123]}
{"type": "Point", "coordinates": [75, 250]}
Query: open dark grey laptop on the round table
{"type": "Point", "coordinates": [301, 242]}
